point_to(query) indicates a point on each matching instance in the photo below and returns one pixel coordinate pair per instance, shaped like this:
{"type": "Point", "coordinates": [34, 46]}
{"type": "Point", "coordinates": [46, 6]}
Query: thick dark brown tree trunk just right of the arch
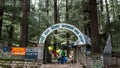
{"type": "Point", "coordinates": [94, 27]}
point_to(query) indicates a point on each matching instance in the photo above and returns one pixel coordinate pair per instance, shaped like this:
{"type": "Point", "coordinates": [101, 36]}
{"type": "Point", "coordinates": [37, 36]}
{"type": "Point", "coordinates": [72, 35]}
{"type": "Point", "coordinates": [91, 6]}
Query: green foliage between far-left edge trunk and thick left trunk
{"type": "Point", "coordinates": [9, 20]}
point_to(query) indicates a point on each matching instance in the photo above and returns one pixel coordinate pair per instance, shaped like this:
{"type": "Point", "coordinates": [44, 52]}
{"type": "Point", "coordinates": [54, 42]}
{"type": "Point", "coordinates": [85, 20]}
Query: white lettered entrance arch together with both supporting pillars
{"type": "Point", "coordinates": [80, 42]}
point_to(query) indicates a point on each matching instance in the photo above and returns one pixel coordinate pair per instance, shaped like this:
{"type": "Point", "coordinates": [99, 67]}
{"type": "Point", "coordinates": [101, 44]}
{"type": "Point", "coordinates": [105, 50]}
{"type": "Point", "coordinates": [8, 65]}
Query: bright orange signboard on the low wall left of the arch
{"type": "Point", "coordinates": [18, 51]}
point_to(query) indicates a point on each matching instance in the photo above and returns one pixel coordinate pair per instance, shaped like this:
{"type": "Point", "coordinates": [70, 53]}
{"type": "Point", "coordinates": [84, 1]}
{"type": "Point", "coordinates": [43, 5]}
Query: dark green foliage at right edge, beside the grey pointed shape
{"type": "Point", "coordinates": [115, 30]}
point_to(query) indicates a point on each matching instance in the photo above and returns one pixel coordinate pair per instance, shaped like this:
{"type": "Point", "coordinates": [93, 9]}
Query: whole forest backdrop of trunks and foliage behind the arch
{"type": "Point", "coordinates": [23, 21]}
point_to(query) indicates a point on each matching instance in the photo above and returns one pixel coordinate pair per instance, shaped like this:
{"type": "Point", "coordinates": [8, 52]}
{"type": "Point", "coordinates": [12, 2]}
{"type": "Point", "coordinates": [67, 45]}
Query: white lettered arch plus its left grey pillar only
{"type": "Point", "coordinates": [76, 31]}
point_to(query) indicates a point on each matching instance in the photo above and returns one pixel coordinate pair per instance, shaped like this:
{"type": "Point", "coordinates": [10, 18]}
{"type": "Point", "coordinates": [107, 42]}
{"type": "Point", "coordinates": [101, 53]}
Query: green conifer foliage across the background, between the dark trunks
{"type": "Point", "coordinates": [39, 20]}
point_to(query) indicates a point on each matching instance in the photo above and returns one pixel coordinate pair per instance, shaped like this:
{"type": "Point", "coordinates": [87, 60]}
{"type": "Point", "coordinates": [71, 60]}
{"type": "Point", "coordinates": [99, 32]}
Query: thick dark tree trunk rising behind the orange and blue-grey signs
{"type": "Point", "coordinates": [24, 23]}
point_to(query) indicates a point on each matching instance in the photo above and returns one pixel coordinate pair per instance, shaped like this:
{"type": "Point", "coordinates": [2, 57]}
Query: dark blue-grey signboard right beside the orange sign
{"type": "Point", "coordinates": [31, 53]}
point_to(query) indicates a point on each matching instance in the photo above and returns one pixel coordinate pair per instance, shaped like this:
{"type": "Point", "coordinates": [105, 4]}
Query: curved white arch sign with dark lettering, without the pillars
{"type": "Point", "coordinates": [62, 26]}
